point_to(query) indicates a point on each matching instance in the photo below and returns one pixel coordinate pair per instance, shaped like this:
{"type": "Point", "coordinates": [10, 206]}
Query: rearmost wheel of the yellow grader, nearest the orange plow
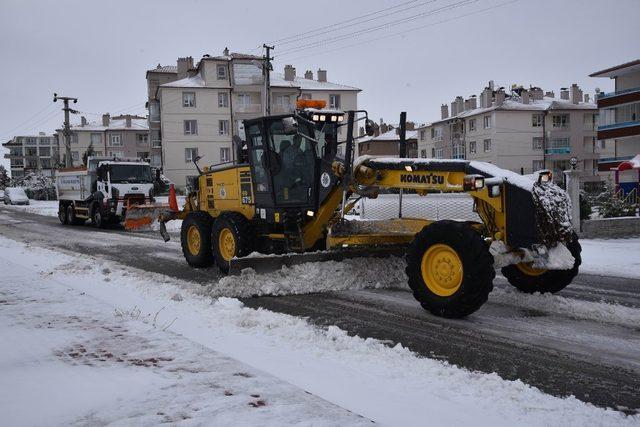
{"type": "Point", "coordinates": [195, 238]}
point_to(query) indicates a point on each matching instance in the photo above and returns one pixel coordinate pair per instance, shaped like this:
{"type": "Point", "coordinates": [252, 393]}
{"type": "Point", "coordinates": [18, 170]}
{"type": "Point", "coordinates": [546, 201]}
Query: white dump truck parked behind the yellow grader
{"type": "Point", "coordinates": [103, 190]}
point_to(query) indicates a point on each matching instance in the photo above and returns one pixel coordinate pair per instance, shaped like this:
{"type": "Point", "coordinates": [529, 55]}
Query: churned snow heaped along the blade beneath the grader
{"type": "Point", "coordinates": [356, 273]}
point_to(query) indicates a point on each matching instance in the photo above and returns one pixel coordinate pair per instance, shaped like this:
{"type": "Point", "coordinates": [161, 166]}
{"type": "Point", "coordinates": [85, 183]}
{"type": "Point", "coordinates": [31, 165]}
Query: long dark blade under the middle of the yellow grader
{"type": "Point", "coordinates": [271, 263]}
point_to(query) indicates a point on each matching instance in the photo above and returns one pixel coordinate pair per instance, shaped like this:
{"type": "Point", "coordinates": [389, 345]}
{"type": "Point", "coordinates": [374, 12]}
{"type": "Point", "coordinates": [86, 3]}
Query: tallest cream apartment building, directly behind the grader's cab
{"type": "Point", "coordinates": [203, 109]}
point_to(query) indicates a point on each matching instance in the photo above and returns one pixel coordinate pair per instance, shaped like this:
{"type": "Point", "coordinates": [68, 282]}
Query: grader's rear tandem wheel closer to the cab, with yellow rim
{"type": "Point", "coordinates": [231, 238]}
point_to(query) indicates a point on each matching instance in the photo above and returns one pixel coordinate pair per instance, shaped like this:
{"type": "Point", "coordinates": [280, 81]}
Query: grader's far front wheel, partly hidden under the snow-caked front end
{"type": "Point", "coordinates": [528, 279]}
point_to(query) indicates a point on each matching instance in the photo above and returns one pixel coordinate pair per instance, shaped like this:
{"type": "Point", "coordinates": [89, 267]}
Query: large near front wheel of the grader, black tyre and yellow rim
{"type": "Point", "coordinates": [450, 269]}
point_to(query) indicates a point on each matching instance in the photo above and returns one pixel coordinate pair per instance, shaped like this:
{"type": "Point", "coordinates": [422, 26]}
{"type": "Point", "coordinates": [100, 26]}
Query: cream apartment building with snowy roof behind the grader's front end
{"type": "Point", "coordinates": [524, 130]}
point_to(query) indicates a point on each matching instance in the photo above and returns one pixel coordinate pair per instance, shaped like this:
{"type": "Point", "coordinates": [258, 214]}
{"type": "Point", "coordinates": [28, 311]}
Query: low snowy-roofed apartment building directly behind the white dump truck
{"type": "Point", "coordinates": [118, 136]}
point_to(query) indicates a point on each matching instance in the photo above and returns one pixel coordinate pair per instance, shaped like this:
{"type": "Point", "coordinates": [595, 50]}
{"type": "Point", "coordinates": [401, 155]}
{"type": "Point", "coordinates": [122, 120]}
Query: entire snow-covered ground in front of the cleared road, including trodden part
{"type": "Point", "coordinates": [96, 342]}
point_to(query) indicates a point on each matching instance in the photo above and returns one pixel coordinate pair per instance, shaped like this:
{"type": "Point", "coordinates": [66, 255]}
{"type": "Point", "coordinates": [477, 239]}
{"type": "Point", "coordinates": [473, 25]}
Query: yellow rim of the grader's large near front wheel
{"type": "Point", "coordinates": [442, 270]}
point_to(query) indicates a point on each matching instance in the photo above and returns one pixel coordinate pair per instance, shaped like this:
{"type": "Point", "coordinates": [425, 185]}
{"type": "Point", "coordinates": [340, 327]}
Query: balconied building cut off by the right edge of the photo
{"type": "Point", "coordinates": [619, 113]}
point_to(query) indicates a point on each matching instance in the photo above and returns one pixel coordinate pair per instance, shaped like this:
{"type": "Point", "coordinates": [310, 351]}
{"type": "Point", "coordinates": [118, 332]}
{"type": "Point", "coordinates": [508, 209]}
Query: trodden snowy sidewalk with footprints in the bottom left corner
{"type": "Point", "coordinates": [69, 358]}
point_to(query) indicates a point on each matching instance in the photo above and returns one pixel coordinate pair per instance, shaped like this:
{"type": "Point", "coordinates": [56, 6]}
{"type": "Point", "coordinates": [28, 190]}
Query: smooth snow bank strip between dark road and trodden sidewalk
{"type": "Point", "coordinates": [390, 385]}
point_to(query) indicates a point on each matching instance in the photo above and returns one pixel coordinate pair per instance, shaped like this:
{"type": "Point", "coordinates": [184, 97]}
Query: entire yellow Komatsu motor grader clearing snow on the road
{"type": "Point", "coordinates": [289, 189]}
